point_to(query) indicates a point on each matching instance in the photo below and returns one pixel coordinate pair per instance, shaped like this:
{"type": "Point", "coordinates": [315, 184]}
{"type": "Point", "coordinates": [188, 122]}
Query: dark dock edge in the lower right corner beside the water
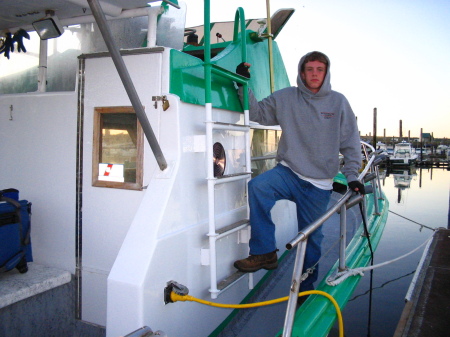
{"type": "Point", "coordinates": [428, 300]}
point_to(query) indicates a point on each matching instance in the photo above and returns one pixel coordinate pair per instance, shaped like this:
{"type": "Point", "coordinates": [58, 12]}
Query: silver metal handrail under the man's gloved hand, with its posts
{"type": "Point", "coordinates": [300, 240]}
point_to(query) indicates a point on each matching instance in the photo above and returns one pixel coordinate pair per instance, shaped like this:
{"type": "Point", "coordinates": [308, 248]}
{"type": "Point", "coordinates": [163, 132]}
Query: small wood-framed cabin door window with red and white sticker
{"type": "Point", "coordinates": [117, 148]}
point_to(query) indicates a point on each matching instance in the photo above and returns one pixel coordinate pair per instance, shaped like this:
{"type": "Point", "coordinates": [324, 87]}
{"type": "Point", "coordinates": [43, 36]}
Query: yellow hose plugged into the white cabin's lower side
{"type": "Point", "coordinates": [175, 297]}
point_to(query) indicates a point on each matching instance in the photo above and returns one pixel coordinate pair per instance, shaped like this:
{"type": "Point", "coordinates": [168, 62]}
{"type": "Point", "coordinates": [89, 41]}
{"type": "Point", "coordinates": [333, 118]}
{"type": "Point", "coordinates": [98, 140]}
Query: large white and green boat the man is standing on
{"type": "Point", "coordinates": [135, 152]}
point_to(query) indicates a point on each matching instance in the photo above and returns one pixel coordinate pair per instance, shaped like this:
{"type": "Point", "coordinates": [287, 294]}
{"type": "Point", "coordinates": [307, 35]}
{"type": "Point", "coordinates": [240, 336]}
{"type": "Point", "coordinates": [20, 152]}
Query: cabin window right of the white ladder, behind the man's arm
{"type": "Point", "coordinates": [264, 146]}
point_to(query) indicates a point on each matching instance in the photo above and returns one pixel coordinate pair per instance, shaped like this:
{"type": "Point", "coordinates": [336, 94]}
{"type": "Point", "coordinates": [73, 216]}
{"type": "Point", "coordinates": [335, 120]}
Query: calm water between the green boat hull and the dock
{"type": "Point", "coordinates": [377, 304]}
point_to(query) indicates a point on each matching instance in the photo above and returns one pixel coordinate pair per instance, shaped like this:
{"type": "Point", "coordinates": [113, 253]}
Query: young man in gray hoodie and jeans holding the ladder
{"type": "Point", "coordinates": [317, 124]}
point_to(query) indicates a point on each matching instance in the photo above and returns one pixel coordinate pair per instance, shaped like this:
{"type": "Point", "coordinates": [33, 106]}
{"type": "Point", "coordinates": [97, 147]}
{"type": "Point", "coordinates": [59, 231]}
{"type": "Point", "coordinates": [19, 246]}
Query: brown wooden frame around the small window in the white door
{"type": "Point", "coordinates": [96, 150]}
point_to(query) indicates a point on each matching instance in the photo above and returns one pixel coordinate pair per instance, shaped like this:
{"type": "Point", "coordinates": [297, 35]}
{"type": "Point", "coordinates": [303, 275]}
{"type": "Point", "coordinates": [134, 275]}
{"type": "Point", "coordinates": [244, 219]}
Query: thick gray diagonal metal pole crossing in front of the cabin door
{"type": "Point", "coordinates": [127, 82]}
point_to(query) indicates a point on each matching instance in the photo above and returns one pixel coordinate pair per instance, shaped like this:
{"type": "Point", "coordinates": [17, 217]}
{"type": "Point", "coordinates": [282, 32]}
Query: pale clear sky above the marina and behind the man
{"type": "Point", "coordinates": [392, 55]}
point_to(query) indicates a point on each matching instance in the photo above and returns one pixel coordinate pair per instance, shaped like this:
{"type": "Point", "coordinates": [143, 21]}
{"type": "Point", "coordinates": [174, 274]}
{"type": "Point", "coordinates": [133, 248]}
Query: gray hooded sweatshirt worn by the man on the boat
{"type": "Point", "coordinates": [316, 127]}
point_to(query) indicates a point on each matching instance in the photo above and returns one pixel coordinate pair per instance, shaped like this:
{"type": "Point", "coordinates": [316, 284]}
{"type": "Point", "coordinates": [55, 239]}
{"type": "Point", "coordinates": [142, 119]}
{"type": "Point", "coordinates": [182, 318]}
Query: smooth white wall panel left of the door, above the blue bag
{"type": "Point", "coordinates": [38, 157]}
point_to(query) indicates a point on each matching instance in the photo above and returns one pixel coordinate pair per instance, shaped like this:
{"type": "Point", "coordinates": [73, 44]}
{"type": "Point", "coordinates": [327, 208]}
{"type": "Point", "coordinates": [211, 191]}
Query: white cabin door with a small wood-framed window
{"type": "Point", "coordinates": [115, 163]}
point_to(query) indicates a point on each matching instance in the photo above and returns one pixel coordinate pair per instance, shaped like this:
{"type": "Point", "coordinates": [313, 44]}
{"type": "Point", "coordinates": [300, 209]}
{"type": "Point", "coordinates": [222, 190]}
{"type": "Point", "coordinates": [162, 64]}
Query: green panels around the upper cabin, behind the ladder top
{"type": "Point", "coordinates": [187, 73]}
